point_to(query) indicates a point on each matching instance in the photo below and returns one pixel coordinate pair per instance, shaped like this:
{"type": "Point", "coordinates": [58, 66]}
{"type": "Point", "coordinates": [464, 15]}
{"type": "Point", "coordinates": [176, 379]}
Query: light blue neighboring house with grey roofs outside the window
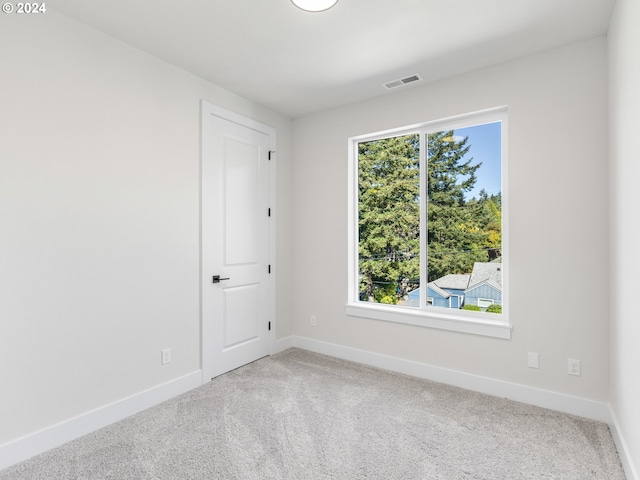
{"type": "Point", "coordinates": [482, 287]}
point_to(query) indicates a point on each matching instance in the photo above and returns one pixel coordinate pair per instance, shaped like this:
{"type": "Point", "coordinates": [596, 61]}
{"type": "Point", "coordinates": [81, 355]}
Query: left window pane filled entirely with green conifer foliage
{"type": "Point", "coordinates": [389, 219]}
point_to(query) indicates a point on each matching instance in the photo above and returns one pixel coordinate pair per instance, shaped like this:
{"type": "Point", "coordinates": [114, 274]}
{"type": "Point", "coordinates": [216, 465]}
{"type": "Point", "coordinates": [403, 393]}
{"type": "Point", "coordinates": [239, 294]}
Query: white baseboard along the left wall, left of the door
{"type": "Point", "coordinates": [33, 444]}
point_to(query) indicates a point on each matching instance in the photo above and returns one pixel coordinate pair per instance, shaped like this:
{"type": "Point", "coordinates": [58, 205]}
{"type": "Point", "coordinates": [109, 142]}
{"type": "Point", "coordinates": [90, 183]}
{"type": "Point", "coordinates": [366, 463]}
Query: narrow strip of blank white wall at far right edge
{"type": "Point", "coordinates": [624, 79]}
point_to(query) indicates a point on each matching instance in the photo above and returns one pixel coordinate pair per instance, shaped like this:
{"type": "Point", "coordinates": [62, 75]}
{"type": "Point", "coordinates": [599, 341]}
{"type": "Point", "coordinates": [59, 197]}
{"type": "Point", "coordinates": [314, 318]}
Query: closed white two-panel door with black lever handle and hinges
{"type": "Point", "coordinates": [235, 242]}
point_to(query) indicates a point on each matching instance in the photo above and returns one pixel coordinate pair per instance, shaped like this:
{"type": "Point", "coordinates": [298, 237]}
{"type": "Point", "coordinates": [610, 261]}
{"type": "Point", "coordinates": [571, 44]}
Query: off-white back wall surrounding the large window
{"type": "Point", "coordinates": [557, 189]}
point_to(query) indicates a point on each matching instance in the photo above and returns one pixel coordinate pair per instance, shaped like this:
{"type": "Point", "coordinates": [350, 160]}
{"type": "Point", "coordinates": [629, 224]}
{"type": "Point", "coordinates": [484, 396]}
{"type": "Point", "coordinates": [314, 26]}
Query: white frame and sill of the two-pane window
{"type": "Point", "coordinates": [479, 323]}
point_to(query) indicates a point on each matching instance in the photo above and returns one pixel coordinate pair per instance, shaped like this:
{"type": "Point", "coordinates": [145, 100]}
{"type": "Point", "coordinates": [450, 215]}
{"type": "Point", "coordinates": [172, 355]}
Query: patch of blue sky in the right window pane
{"type": "Point", "coordinates": [485, 147]}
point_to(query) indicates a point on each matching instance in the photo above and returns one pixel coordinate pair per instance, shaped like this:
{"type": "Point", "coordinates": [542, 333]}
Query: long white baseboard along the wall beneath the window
{"type": "Point", "coordinates": [521, 393]}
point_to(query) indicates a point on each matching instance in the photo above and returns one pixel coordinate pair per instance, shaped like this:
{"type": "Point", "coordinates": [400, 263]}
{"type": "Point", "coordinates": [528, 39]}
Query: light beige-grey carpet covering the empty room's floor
{"type": "Point", "coordinates": [299, 415]}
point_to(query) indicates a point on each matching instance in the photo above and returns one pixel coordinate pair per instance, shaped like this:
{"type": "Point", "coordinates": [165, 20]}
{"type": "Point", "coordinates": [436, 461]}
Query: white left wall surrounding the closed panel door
{"type": "Point", "coordinates": [99, 214]}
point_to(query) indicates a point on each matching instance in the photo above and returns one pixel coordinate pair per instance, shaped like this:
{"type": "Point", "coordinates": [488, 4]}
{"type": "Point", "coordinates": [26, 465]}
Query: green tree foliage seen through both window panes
{"type": "Point", "coordinates": [460, 231]}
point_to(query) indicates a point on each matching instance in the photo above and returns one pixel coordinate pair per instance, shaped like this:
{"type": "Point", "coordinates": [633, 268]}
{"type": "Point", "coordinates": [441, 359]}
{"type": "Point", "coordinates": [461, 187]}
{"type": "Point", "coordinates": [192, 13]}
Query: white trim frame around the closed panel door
{"type": "Point", "coordinates": [207, 110]}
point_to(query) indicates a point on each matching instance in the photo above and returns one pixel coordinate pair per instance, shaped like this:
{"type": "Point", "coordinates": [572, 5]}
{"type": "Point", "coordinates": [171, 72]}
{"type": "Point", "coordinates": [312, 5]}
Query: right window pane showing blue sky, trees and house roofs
{"type": "Point", "coordinates": [464, 218]}
